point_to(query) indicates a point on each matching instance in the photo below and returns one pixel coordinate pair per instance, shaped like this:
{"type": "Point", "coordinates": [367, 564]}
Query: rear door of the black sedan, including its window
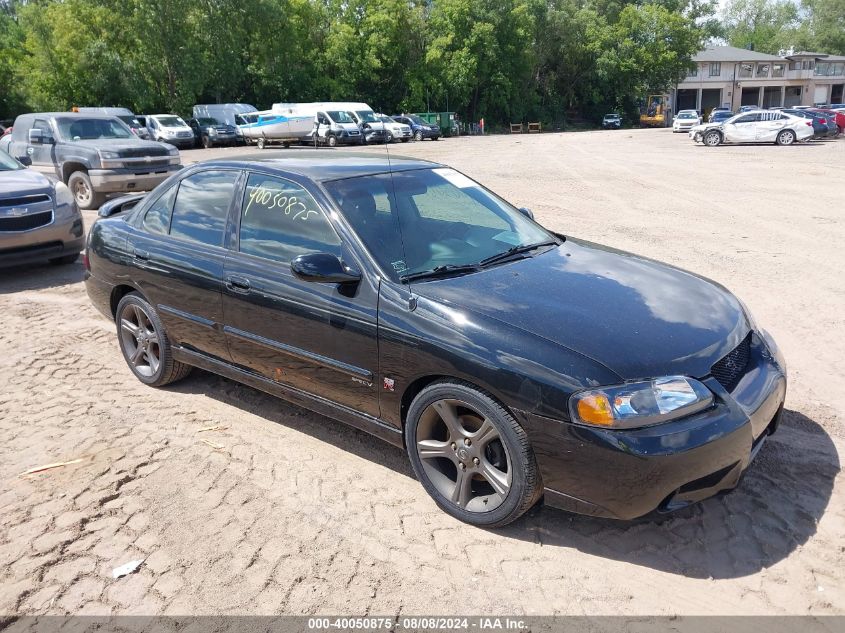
{"type": "Point", "coordinates": [177, 251]}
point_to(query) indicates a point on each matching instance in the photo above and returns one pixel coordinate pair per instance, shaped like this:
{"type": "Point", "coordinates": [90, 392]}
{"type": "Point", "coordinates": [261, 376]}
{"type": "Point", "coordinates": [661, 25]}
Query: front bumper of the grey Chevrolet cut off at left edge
{"type": "Point", "coordinates": [57, 239]}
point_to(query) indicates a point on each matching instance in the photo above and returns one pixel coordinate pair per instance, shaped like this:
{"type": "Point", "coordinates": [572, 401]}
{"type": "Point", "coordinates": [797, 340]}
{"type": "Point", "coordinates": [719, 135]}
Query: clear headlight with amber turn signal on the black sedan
{"type": "Point", "coordinates": [641, 403]}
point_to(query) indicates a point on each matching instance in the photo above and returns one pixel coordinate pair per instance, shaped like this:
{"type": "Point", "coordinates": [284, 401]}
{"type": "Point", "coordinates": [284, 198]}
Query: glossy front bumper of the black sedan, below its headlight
{"type": "Point", "coordinates": [628, 474]}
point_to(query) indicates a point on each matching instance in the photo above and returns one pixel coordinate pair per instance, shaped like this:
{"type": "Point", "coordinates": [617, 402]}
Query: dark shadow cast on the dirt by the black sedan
{"type": "Point", "coordinates": [774, 510]}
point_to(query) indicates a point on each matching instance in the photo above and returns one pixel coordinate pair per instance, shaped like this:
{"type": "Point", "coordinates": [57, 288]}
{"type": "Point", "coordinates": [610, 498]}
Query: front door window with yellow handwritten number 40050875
{"type": "Point", "coordinates": [281, 221]}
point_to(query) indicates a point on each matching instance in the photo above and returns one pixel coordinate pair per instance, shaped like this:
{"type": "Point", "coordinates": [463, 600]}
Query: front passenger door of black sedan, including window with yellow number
{"type": "Point", "coordinates": [315, 337]}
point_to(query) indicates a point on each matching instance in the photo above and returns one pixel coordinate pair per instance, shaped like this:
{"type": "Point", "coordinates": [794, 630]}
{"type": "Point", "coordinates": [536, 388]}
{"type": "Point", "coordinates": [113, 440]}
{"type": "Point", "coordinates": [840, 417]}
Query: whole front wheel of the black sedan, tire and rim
{"type": "Point", "coordinates": [470, 454]}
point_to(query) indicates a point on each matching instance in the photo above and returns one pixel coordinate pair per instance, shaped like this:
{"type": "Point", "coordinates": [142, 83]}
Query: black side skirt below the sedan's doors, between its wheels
{"type": "Point", "coordinates": [366, 423]}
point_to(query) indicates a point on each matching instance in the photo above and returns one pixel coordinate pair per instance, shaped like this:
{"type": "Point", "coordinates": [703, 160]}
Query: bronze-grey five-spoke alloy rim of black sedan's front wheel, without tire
{"type": "Point", "coordinates": [463, 456]}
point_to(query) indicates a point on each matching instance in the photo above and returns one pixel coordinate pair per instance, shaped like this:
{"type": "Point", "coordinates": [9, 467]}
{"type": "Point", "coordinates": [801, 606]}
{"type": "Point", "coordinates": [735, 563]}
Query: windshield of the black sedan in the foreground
{"type": "Point", "coordinates": [446, 219]}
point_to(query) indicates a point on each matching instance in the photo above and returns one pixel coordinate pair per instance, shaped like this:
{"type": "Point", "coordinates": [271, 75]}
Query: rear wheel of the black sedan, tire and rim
{"type": "Point", "coordinates": [144, 343]}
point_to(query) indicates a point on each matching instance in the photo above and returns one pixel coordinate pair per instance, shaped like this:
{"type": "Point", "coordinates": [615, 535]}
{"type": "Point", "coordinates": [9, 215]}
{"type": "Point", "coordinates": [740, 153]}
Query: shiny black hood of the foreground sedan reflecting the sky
{"type": "Point", "coordinates": [638, 317]}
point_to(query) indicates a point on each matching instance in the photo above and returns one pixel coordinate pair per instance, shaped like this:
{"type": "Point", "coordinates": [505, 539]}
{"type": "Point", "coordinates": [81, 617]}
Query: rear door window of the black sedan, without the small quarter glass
{"type": "Point", "coordinates": [202, 204]}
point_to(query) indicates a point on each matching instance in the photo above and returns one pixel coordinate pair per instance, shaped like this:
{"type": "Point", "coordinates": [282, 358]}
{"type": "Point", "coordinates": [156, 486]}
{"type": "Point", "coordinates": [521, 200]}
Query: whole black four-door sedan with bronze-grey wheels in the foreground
{"type": "Point", "coordinates": [407, 300]}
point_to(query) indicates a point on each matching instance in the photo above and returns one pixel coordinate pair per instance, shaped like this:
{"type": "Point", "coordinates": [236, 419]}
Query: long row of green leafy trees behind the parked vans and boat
{"type": "Point", "coordinates": [504, 60]}
